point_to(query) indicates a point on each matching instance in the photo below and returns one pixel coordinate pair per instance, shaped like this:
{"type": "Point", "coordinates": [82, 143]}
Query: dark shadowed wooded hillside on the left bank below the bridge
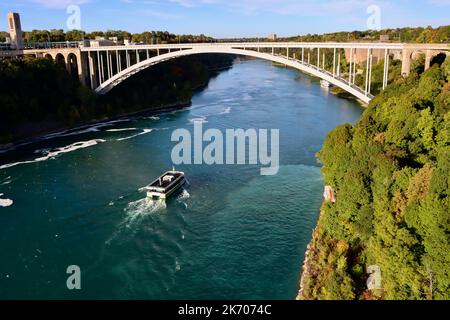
{"type": "Point", "coordinates": [38, 96]}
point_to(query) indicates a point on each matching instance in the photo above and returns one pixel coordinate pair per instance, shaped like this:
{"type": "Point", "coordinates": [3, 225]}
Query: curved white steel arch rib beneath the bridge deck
{"type": "Point", "coordinates": [351, 88]}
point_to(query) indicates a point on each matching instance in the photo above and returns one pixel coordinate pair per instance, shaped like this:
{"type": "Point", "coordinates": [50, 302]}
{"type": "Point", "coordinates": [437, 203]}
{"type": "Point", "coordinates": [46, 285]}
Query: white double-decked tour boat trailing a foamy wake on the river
{"type": "Point", "coordinates": [166, 185]}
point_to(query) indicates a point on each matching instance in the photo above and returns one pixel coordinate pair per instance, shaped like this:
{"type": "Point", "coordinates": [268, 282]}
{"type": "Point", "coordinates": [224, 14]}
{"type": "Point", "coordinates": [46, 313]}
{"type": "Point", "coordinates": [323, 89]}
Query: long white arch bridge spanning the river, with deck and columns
{"type": "Point", "coordinates": [103, 68]}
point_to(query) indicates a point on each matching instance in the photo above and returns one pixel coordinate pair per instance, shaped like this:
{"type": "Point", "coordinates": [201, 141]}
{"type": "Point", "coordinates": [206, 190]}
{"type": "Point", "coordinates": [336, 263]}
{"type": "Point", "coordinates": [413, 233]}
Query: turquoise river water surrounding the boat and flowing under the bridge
{"type": "Point", "coordinates": [231, 234]}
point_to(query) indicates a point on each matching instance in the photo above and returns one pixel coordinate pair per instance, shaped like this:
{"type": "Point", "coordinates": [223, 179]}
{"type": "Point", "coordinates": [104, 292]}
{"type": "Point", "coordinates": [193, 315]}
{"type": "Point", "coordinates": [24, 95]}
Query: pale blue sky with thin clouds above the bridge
{"type": "Point", "coordinates": [227, 18]}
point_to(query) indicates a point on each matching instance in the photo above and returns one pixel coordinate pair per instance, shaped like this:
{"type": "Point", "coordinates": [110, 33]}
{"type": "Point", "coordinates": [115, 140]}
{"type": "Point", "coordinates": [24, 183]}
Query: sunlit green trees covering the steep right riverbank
{"type": "Point", "coordinates": [391, 176]}
